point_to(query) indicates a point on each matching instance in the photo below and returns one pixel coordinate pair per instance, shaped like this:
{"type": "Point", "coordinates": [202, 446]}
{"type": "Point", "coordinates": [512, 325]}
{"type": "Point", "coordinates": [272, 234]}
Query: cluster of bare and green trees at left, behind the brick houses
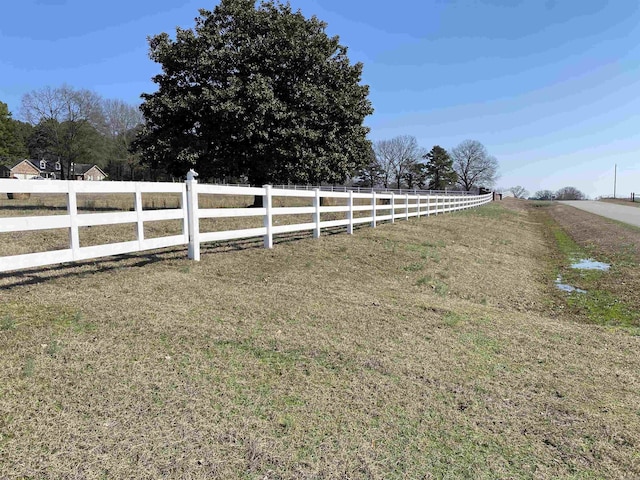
{"type": "Point", "coordinates": [70, 125]}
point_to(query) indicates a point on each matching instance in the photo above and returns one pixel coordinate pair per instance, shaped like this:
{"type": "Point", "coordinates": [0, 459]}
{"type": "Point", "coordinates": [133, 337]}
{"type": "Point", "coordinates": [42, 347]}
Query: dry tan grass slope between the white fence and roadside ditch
{"type": "Point", "coordinates": [425, 349]}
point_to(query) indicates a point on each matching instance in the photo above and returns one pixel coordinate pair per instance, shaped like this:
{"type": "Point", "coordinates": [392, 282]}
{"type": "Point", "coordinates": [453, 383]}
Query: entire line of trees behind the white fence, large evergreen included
{"type": "Point", "coordinates": [252, 93]}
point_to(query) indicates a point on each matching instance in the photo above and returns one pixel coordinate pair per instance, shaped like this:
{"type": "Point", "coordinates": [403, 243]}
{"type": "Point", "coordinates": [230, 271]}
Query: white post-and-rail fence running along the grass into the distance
{"type": "Point", "coordinates": [395, 207]}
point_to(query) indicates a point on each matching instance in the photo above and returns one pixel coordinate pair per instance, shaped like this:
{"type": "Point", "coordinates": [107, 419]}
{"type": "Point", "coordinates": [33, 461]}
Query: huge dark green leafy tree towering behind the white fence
{"type": "Point", "coordinates": [256, 91]}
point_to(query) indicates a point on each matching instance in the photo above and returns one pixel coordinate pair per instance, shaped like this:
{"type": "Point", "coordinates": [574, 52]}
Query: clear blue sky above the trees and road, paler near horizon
{"type": "Point", "coordinates": [550, 87]}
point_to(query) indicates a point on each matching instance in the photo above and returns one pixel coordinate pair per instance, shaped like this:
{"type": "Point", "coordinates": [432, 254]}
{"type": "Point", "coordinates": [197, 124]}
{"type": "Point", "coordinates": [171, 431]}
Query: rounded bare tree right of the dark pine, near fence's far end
{"type": "Point", "coordinates": [473, 164]}
